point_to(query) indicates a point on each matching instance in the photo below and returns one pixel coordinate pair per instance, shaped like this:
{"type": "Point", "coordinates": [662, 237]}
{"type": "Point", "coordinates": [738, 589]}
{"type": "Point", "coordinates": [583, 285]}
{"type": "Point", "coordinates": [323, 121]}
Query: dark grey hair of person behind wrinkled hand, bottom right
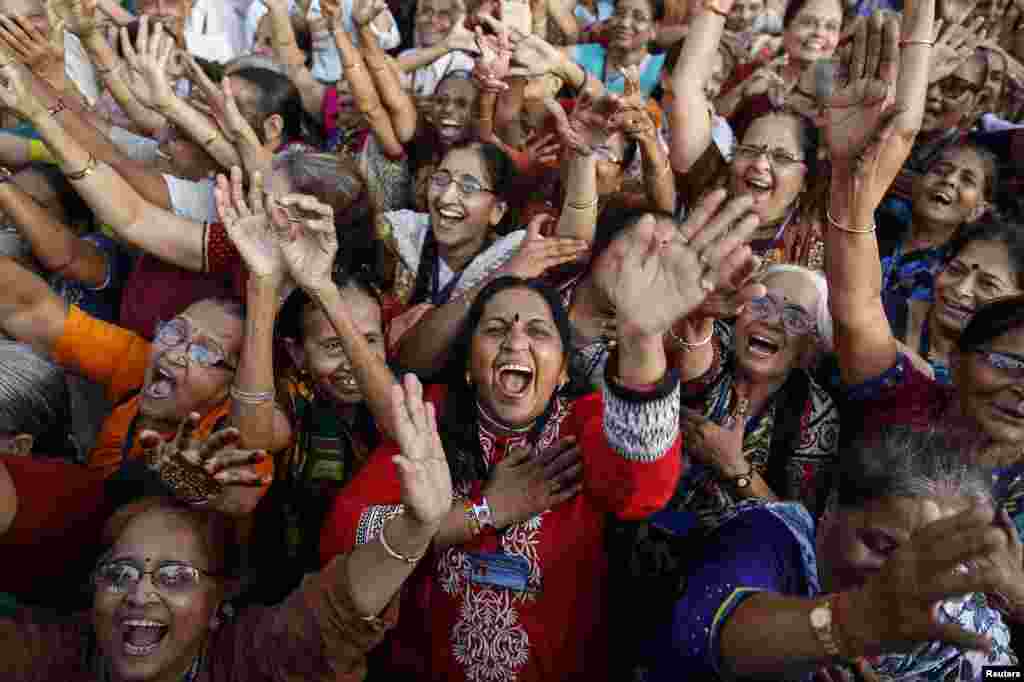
{"type": "Point", "coordinates": [908, 462]}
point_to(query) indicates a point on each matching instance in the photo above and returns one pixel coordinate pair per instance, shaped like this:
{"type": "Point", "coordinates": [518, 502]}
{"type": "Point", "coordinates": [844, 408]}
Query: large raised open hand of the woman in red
{"type": "Point", "coordinates": [658, 278]}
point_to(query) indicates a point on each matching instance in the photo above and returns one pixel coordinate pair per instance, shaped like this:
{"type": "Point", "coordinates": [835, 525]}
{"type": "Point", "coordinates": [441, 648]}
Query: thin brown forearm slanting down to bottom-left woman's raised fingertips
{"type": "Point", "coordinates": [372, 373]}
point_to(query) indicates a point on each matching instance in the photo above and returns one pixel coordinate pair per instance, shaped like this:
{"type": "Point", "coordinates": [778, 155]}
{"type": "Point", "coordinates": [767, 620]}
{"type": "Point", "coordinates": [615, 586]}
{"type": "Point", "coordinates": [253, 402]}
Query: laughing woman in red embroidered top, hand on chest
{"type": "Point", "coordinates": [503, 596]}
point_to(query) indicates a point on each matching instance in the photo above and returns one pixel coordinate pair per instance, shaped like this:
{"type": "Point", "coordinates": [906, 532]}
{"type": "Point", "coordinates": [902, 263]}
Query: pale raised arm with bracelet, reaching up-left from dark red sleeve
{"type": "Point", "coordinates": [137, 221]}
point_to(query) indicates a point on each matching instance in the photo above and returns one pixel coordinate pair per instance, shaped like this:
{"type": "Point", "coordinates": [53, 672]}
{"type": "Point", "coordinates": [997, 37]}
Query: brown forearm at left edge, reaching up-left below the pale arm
{"type": "Point", "coordinates": [54, 244]}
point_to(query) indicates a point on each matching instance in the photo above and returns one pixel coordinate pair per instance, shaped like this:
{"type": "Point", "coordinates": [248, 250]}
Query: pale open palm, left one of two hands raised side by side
{"type": "Point", "coordinates": [248, 225]}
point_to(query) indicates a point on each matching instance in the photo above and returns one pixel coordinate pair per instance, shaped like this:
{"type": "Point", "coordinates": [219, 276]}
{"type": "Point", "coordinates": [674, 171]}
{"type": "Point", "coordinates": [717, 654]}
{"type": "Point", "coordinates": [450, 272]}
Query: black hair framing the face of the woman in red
{"type": "Point", "coordinates": [458, 421]}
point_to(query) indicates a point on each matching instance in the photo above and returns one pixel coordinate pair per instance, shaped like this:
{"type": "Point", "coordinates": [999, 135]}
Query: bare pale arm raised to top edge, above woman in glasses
{"type": "Point", "coordinates": [691, 113]}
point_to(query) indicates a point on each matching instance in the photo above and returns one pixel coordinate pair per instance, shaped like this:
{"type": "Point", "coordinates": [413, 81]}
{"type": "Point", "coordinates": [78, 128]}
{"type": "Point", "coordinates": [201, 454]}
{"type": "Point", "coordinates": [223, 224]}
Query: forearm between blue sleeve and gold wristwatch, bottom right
{"type": "Point", "coordinates": [772, 634]}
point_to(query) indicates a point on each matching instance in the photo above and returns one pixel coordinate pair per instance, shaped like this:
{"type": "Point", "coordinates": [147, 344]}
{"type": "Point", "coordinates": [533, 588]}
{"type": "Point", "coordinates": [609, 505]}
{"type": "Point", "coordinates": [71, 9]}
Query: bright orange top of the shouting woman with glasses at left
{"type": "Point", "coordinates": [117, 359]}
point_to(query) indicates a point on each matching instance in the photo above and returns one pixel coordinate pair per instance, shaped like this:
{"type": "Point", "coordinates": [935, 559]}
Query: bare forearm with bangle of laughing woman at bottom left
{"type": "Point", "coordinates": [374, 576]}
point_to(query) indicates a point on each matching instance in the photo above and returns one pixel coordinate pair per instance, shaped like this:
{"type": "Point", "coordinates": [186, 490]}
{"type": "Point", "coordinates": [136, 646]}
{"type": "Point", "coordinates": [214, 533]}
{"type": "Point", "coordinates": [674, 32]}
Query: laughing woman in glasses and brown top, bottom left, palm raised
{"type": "Point", "coordinates": [160, 588]}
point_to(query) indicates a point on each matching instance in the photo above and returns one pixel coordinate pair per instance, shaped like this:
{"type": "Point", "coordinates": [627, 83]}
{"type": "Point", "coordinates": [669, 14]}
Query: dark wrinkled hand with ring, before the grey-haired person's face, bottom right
{"type": "Point", "coordinates": [897, 608]}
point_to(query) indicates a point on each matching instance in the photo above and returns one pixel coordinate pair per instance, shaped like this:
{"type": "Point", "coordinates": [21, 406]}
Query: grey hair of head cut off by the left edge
{"type": "Point", "coordinates": [33, 394]}
